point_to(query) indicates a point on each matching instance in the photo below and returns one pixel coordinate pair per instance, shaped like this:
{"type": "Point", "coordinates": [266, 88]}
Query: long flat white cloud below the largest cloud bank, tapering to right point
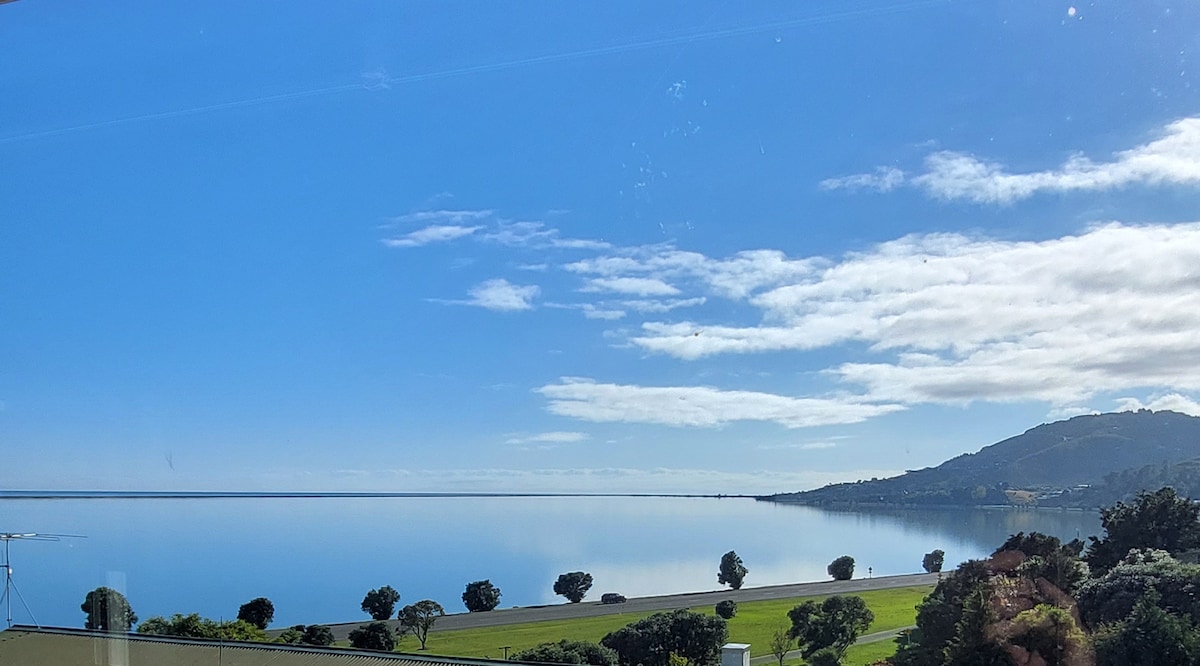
{"type": "Point", "coordinates": [700, 406]}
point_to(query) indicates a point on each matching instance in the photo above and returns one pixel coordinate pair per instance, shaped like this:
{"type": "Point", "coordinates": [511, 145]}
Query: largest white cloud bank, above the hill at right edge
{"type": "Point", "coordinates": [953, 319]}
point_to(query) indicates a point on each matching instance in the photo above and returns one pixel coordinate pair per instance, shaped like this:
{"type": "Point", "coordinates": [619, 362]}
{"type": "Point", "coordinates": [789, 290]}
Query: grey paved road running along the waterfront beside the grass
{"type": "Point", "coordinates": [650, 604]}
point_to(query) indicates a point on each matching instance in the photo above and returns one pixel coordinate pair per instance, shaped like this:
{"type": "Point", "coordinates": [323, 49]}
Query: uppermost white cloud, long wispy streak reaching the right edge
{"type": "Point", "coordinates": [1174, 159]}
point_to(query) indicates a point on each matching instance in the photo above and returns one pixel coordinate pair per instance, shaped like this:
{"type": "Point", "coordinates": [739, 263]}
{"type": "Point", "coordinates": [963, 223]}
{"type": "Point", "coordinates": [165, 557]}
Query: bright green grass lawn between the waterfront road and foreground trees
{"type": "Point", "coordinates": [754, 625]}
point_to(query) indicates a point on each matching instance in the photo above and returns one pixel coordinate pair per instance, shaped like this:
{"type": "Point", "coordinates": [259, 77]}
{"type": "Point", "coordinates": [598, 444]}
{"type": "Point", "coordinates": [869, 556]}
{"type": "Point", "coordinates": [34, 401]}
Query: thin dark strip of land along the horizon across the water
{"type": "Point", "coordinates": [321, 495]}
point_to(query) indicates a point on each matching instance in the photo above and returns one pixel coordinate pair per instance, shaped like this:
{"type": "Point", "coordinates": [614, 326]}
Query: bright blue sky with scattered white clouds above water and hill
{"type": "Point", "coordinates": [562, 247]}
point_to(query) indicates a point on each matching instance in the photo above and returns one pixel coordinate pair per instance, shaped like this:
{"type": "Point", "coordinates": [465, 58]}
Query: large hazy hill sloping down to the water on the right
{"type": "Point", "coordinates": [1072, 463]}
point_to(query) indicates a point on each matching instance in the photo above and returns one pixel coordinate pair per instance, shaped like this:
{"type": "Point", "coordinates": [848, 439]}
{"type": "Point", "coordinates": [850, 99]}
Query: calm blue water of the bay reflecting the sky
{"type": "Point", "coordinates": [315, 559]}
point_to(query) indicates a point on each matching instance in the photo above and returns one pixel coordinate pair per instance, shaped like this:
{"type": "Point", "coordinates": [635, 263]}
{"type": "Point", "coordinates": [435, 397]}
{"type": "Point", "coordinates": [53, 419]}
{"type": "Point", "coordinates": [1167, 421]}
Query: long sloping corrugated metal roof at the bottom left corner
{"type": "Point", "coordinates": [27, 646]}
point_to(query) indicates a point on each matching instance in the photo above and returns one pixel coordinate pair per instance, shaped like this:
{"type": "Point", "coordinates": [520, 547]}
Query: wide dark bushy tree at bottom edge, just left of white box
{"type": "Point", "coordinates": [651, 641]}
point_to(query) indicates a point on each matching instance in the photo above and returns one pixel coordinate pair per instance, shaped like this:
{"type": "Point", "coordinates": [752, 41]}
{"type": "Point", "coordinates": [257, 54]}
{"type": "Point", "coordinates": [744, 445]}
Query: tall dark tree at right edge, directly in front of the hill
{"type": "Point", "coordinates": [1161, 520]}
